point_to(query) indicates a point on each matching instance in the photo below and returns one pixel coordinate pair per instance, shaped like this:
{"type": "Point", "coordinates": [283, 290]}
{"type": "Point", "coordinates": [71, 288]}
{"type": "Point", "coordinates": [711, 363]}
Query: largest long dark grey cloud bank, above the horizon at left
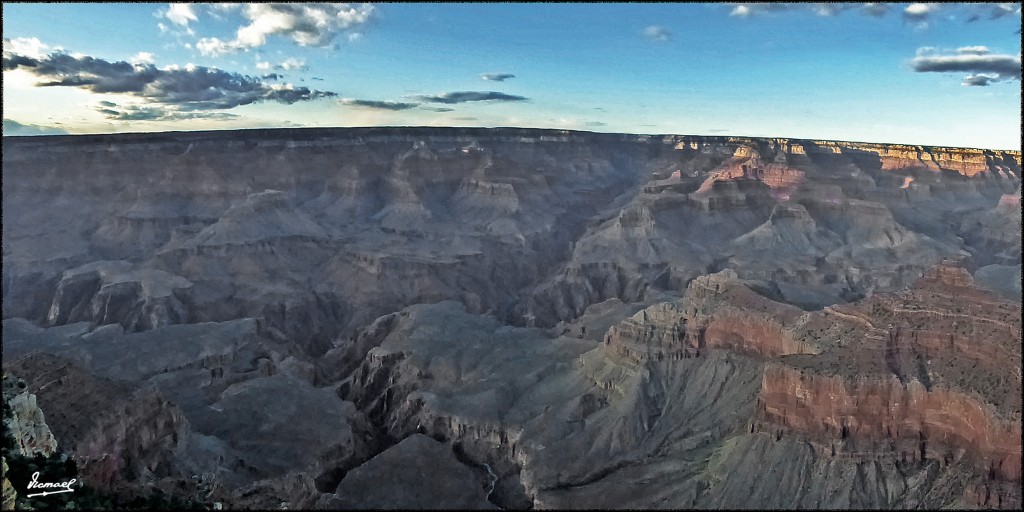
{"type": "Point", "coordinates": [189, 89]}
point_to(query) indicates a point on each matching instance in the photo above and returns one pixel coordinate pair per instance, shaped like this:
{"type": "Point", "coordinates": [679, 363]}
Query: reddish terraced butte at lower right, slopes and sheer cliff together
{"type": "Point", "coordinates": [931, 373]}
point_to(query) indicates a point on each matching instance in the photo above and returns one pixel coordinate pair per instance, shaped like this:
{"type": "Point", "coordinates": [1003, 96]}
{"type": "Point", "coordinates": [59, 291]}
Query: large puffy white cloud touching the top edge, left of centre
{"type": "Point", "coordinates": [305, 24]}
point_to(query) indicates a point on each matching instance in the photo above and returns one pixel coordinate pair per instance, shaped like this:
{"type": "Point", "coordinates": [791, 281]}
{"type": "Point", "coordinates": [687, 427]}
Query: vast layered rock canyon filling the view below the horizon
{"type": "Point", "coordinates": [517, 319]}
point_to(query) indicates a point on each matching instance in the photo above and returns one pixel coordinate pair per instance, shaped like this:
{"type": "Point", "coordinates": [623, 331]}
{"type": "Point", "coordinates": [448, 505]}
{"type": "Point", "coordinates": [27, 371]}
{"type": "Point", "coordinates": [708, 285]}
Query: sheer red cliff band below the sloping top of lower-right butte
{"type": "Point", "coordinates": [926, 424]}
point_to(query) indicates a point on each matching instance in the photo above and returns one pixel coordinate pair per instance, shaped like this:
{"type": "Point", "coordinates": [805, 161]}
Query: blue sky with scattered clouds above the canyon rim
{"type": "Point", "coordinates": [908, 73]}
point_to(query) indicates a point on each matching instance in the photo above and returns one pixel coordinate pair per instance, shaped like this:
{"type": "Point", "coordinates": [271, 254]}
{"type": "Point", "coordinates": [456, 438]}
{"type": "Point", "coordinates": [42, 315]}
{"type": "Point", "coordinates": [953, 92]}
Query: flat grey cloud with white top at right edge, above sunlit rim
{"type": "Point", "coordinates": [985, 68]}
